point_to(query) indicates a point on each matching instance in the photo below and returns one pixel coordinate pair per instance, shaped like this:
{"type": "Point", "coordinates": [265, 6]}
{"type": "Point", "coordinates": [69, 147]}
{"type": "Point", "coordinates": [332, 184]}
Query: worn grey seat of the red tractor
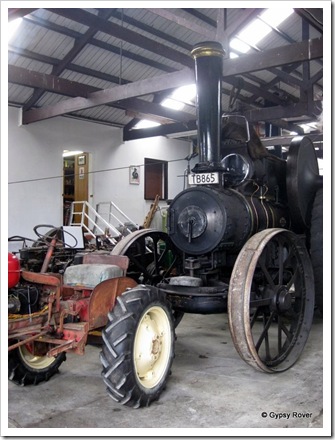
{"type": "Point", "coordinates": [89, 275]}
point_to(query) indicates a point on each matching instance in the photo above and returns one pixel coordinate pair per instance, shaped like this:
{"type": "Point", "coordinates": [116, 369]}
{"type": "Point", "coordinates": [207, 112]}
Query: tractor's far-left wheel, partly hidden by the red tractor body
{"type": "Point", "coordinates": [27, 368]}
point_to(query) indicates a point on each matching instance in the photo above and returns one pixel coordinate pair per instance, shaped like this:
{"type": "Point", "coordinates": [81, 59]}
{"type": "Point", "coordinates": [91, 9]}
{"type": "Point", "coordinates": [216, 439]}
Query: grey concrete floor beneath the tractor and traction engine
{"type": "Point", "coordinates": [210, 390]}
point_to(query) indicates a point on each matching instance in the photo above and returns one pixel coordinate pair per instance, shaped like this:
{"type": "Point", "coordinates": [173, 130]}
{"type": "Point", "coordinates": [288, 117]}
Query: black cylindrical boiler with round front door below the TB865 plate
{"type": "Point", "coordinates": [202, 219]}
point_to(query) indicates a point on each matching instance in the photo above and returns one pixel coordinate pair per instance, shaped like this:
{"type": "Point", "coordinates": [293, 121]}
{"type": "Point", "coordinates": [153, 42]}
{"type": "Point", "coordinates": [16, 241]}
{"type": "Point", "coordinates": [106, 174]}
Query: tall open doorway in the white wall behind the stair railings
{"type": "Point", "coordinates": [75, 183]}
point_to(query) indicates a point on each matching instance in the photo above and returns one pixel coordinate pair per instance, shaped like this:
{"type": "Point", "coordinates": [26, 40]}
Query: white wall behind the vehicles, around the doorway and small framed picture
{"type": "Point", "coordinates": [35, 169]}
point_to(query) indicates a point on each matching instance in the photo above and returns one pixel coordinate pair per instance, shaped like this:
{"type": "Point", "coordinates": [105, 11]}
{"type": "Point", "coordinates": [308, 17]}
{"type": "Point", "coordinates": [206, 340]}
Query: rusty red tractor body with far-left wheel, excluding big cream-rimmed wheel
{"type": "Point", "coordinates": [50, 313]}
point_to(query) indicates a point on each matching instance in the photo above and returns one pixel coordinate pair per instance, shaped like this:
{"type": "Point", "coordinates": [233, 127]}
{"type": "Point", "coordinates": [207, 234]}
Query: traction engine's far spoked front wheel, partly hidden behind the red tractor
{"type": "Point", "coordinates": [152, 256]}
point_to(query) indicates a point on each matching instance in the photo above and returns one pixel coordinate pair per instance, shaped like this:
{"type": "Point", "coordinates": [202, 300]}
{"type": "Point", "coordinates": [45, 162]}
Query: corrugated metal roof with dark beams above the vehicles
{"type": "Point", "coordinates": [102, 48]}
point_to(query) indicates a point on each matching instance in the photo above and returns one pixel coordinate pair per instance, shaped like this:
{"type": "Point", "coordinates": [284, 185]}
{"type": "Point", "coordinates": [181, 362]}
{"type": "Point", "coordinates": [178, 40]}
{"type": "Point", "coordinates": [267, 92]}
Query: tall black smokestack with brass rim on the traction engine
{"type": "Point", "coordinates": [208, 76]}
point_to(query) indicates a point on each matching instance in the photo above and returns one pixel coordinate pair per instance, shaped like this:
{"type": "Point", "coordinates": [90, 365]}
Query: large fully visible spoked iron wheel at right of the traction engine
{"type": "Point", "coordinates": [271, 300]}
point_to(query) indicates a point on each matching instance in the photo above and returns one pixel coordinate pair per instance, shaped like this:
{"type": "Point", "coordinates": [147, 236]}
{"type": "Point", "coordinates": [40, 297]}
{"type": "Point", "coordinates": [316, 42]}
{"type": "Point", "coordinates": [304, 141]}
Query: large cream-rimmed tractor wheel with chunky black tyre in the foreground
{"type": "Point", "coordinates": [138, 347]}
